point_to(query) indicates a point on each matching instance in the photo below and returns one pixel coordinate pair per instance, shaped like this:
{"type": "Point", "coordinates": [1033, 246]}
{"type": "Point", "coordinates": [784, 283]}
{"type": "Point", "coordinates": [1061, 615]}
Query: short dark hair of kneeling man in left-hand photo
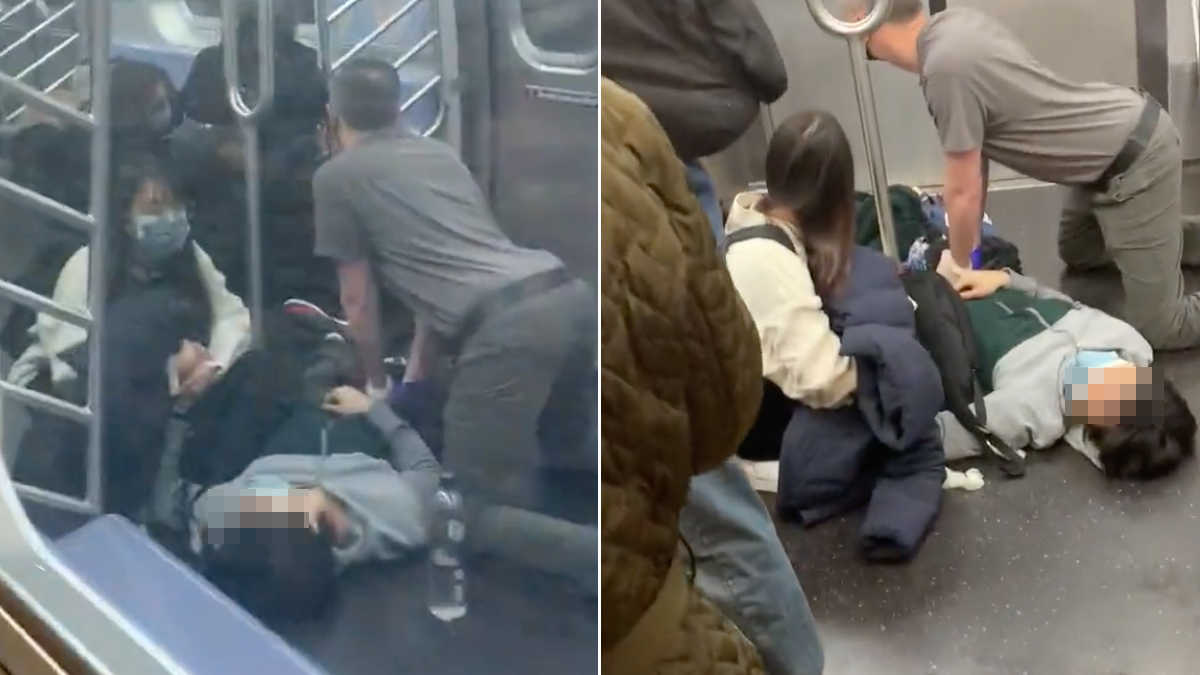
{"type": "Point", "coordinates": [365, 93]}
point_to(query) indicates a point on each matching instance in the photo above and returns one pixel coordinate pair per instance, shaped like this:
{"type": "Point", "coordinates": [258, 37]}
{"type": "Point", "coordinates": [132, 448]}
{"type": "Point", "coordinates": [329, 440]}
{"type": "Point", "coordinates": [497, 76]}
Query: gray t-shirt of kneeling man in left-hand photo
{"type": "Point", "coordinates": [412, 208]}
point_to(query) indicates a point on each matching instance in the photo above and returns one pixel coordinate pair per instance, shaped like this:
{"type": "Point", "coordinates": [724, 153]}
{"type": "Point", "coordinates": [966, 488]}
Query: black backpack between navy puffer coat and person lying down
{"type": "Point", "coordinates": [944, 328]}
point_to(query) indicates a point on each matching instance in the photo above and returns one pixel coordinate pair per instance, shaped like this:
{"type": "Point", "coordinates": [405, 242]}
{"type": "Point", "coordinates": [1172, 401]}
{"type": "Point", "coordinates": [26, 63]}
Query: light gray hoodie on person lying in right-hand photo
{"type": "Point", "coordinates": [1028, 409]}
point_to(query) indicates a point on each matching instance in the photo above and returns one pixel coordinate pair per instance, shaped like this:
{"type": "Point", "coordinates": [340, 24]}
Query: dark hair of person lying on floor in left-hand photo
{"type": "Point", "coordinates": [275, 574]}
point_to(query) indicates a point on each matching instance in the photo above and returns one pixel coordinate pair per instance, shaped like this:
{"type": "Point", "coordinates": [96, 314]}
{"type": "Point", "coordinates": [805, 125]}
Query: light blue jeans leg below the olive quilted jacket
{"type": "Point", "coordinates": [743, 570]}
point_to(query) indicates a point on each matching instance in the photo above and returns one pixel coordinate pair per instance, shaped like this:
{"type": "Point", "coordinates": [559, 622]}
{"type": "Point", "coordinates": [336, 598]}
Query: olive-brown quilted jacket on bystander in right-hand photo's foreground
{"type": "Point", "coordinates": [681, 384]}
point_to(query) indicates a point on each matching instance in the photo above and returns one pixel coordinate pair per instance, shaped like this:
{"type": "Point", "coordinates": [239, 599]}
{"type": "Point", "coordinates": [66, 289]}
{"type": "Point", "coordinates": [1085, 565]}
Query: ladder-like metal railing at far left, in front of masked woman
{"type": "Point", "coordinates": [94, 225]}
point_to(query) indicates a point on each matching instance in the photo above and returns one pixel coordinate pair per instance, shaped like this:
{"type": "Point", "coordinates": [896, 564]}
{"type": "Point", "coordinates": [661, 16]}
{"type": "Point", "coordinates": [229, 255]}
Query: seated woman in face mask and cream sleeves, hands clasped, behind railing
{"type": "Point", "coordinates": [172, 330]}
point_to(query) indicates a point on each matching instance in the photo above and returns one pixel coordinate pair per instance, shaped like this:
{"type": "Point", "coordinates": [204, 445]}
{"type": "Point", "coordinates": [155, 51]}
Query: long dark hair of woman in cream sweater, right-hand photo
{"type": "Point", "coordinates": [811, 176]}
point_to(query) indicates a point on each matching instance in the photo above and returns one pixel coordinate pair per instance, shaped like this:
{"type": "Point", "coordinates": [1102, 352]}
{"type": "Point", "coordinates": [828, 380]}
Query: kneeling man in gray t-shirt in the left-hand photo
{"type": "Point", "coordinates": [405, 213]}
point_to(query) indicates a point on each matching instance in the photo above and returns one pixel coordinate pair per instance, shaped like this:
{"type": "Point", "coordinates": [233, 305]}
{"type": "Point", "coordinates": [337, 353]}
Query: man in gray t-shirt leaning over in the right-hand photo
{"type": "Point", "coordinates": [1113, 148]}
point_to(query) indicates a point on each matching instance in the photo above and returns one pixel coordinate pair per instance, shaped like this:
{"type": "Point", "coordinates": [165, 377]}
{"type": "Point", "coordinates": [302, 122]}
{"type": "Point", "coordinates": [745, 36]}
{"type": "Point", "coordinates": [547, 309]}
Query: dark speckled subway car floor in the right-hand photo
{"type": "Point", "coordinates": [1058, 574]}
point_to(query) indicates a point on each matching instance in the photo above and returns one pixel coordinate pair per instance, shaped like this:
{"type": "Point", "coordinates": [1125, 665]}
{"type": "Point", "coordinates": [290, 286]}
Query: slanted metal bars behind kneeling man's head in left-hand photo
{"type": "Point", "coordinates": [440, 82]}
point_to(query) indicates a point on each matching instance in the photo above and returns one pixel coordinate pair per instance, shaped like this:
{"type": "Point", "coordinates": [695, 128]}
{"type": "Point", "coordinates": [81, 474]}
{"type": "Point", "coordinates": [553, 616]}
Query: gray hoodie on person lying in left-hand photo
{"type": "Point", "coordinates": [386, 501]}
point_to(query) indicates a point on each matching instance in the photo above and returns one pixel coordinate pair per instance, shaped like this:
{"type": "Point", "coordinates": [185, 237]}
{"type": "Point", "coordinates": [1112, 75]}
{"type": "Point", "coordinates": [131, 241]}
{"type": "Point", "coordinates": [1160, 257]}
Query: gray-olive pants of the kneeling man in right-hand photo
{"type": "Point", "coordinates": [1138, 226]}
